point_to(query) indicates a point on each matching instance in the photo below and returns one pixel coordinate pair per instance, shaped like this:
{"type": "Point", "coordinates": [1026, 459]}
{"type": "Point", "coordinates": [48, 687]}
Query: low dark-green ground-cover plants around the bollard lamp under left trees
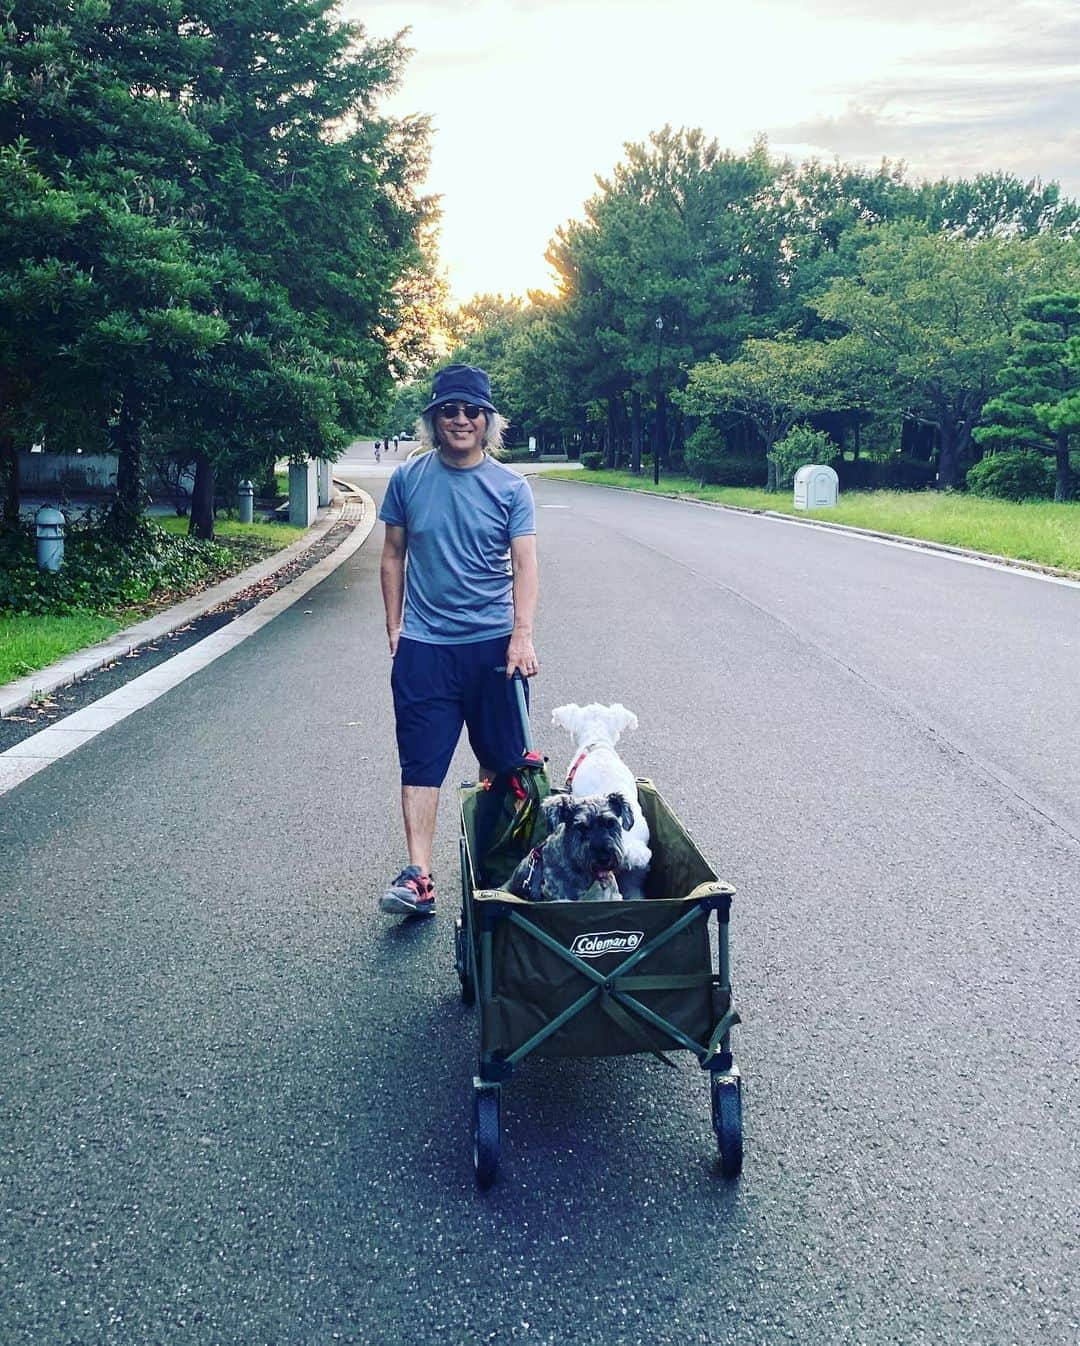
{"type": "Point", "coordinates": [99, 573]}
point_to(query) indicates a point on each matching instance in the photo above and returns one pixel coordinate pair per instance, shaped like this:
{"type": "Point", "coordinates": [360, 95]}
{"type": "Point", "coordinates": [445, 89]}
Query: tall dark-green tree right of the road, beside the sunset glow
{"type": "Point", "coordinates": [679, 234]}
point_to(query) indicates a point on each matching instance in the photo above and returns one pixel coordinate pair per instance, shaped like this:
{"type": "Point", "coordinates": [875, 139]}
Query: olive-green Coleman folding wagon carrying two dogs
{"type": "Point", "coordinates": [588, 979]}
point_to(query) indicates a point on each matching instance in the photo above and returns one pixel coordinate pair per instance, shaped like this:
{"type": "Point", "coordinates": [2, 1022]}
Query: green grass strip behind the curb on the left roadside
{"type": "Point", "coordinates": [29, 644]}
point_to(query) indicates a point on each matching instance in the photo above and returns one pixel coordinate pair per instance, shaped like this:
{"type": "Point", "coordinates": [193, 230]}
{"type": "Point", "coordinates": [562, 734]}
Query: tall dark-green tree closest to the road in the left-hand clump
{"type": "Point", "coordinates": [314, 197]}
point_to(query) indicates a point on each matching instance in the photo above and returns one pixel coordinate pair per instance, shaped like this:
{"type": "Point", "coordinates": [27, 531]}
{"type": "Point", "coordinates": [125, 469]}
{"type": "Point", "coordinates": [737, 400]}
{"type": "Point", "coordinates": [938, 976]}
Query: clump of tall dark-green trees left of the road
{"type": "Point", "coordinates": [217, 181]}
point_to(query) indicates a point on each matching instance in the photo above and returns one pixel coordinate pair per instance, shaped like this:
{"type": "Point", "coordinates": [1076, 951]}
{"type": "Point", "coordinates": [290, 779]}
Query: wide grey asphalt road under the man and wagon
{"type": "Point", "coordinates": [235, 1099]}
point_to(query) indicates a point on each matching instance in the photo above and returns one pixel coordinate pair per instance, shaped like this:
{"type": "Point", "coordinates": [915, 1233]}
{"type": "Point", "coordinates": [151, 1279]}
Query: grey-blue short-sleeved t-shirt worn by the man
{"type": "Point", "coordinates": [459, 527]}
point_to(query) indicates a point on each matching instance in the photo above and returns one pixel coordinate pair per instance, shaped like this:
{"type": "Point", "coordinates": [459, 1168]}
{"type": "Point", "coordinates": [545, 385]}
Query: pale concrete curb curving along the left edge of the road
{"type": "Point", "coordinates": [20, 694]}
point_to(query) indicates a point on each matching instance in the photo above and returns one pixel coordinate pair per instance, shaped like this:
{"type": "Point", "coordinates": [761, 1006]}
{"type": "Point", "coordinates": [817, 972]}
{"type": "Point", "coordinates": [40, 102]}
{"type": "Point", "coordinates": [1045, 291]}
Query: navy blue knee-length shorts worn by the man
{"type": "Point", "coordinates": [440, 688]}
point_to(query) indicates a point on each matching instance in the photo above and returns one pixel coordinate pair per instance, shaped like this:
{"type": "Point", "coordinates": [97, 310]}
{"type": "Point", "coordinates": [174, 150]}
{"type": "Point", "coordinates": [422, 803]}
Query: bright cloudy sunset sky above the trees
{"type": "Point", "coordinates": [531, 100]}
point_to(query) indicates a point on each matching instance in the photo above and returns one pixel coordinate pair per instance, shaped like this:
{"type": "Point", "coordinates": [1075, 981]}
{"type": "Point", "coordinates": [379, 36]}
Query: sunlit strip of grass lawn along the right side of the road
{"type": "Point", "coordinates": [1036, 531]}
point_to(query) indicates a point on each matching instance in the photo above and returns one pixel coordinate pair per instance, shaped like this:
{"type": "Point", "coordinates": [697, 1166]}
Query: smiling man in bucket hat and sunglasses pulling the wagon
{"type": "Point", "coordinates": [460, 616]}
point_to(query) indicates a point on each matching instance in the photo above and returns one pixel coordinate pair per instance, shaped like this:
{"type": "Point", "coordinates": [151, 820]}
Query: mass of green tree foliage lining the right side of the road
{"type": "Point", "coordinates": [784, 291]}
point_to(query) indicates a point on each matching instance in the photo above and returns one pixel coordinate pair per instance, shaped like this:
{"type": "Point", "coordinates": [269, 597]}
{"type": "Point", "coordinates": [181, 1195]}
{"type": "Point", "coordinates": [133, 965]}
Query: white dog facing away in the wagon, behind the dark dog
{"type": "Point", "coordinates": [597, 769]}
